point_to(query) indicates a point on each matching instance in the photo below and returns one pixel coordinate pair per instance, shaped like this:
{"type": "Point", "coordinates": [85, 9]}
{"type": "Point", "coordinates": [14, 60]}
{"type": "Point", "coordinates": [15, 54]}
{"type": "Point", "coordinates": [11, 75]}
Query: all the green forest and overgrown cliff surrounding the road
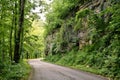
{"type": "Point", "coordinates": [81, 34]}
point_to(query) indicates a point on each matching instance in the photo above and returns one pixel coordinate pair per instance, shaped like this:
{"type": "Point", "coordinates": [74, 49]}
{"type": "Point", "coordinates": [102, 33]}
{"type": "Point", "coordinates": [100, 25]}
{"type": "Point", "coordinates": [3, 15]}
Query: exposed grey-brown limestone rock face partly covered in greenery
{"type": "Point", "coordinates": [65, 38]}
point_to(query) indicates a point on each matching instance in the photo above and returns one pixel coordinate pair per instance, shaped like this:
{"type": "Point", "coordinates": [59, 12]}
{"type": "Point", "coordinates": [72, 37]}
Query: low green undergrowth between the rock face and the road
{"type": "Point", "coordinates": [90, 62]}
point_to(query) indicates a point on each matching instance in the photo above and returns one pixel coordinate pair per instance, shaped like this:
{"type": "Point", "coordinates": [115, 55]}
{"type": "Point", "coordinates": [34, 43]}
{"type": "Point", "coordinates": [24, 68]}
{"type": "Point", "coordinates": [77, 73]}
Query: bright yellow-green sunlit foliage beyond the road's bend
{"type": "Point", "coordinates": [33, 41]}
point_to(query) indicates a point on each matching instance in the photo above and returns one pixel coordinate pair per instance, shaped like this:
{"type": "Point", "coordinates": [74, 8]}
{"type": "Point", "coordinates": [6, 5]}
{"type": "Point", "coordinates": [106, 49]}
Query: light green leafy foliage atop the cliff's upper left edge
{"type": "Point", "coordinates": [58, 12]}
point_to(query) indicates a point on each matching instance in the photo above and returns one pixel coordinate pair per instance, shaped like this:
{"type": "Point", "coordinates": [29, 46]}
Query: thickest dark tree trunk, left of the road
{"type": "Point", "coordinates": [20, 28]}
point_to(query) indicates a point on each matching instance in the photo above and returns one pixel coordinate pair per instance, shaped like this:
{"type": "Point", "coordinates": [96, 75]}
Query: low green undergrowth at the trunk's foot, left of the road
{"type": "Point", "coordinates": [15, 71]}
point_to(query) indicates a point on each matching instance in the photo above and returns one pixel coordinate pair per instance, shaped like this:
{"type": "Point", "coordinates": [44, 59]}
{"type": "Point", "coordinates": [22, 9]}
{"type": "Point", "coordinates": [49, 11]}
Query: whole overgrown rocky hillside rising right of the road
{"type": "Point", "coordinates": [99, 50]}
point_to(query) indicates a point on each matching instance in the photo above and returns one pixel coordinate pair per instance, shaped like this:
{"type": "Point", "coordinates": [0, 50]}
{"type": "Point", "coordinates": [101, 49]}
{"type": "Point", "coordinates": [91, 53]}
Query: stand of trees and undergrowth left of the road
{"type": "Point", "coordinates": [20, 37]}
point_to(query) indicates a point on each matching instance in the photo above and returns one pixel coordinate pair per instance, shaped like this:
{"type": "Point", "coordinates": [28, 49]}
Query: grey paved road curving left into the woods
{"type": "Point", "coordinates": [47, 71]}
